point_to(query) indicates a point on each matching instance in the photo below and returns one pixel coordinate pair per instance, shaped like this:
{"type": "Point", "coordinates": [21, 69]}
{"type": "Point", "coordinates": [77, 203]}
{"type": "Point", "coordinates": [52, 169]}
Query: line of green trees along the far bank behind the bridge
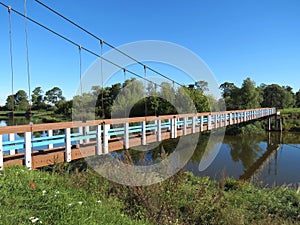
{"type": "Point", "coordinates": [134, 98]}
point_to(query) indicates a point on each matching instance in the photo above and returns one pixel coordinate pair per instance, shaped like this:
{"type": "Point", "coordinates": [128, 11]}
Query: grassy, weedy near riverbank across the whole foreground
{"type": "Point", "coordinates": [74, 194]}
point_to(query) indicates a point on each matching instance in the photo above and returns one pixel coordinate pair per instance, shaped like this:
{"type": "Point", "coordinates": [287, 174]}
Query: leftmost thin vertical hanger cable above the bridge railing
{"type": "Point", "coordinates": [11, 63]}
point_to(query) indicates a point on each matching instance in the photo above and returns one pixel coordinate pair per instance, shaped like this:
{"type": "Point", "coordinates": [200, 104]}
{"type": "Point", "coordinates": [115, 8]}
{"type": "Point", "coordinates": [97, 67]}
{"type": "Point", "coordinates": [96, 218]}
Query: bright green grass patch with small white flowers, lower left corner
{"type": "Point", "coordinates": [27, 195]}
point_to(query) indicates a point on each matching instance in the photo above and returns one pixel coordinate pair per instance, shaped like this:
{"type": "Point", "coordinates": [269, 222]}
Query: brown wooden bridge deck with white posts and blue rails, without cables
{"type": "Point", "coordinates": [38, 145]}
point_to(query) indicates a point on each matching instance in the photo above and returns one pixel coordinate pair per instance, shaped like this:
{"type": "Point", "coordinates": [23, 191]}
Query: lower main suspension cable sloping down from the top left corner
{"type": "Point", "coordinates": [76, 44]}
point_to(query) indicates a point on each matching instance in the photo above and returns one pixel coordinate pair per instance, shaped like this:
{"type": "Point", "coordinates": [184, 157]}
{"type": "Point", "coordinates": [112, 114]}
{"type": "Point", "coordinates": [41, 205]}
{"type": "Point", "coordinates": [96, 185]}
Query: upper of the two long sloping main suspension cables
{"type": "Point", "coordinates": [106, 43]}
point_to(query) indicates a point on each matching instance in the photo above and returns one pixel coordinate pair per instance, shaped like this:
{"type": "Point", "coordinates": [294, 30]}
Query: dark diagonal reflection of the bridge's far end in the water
{"type": "Point", "coordinates": [263, 161]}
